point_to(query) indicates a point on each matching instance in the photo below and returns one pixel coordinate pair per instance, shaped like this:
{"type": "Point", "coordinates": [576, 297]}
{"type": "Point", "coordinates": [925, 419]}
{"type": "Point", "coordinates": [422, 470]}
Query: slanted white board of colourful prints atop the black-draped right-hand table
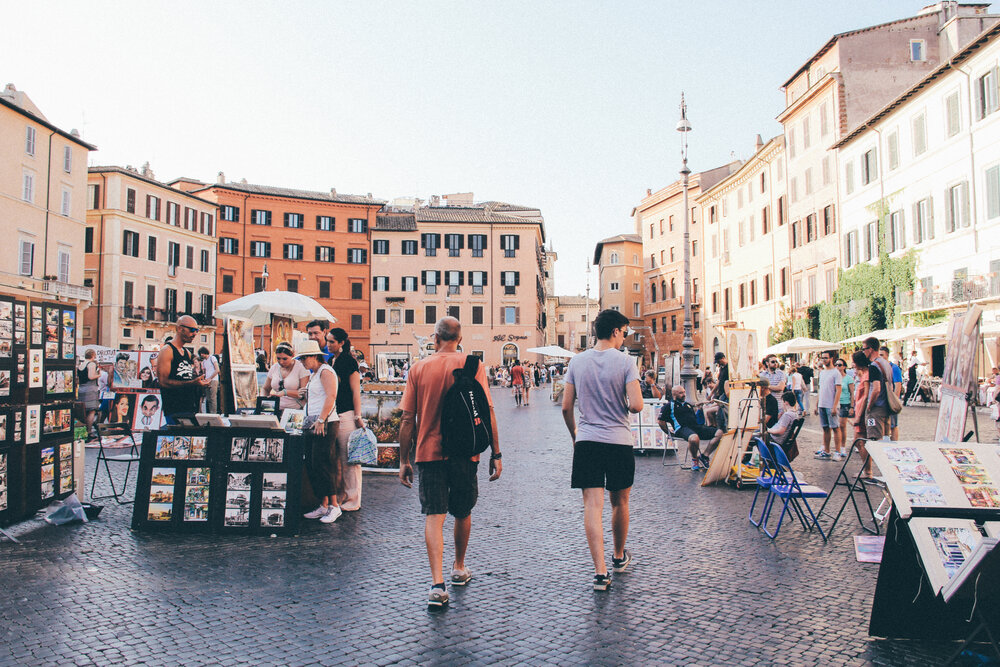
{"type": "Point", "coordinates": [939, 476]}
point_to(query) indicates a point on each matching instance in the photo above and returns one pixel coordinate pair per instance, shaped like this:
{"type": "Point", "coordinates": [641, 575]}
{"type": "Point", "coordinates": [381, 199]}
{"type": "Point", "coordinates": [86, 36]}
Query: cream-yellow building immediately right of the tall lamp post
{"type": "Point", "coordinates": [746, 261]}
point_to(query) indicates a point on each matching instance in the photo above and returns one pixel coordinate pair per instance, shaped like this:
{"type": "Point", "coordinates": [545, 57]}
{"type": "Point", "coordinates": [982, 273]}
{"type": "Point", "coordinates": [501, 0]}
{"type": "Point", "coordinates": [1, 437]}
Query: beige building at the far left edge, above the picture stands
{"type": "Point", "coordinates": [43, 183]}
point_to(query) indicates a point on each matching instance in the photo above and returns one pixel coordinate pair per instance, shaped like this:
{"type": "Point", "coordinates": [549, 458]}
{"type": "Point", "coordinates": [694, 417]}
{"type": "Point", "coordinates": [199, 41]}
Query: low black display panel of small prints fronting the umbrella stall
{"type": "Point", "coordinates": [219, 480]}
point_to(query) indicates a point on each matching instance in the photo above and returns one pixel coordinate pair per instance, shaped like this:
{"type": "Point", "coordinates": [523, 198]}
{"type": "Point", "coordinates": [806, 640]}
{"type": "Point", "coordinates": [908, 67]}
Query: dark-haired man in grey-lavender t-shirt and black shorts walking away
{"type": "Point", "coordinates": [602, 443]}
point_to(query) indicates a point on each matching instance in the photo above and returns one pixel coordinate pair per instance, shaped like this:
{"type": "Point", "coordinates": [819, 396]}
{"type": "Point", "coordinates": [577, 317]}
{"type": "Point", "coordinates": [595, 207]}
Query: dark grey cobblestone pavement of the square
{"type": "Point", "coordinates": [705, 587]}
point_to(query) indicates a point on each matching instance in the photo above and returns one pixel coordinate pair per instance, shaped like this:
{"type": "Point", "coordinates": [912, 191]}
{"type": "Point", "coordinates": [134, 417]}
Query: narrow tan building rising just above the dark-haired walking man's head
{"type": "Point", "coordinates": [619, 273]}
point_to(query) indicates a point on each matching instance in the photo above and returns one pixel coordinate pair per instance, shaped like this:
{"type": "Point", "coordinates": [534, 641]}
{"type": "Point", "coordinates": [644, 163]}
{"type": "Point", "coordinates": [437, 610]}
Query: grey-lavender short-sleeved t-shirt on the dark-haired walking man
{"type": "Point", "coordinates": [599, 378]}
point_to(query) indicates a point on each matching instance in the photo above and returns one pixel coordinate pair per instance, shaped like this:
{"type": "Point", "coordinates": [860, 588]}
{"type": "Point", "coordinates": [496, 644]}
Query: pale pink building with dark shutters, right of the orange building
{"type": "Point", "coordinates": [483, 267]}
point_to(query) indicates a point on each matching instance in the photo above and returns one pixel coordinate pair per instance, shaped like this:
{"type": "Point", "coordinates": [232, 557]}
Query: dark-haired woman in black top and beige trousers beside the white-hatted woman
{"type": "Point", "coordinates": [349, 414]}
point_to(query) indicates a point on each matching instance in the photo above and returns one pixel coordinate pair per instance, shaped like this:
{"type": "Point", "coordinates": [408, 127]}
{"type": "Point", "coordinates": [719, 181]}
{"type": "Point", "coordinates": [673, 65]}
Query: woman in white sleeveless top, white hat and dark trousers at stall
{"type": "Point", "coordinates": [325, 474]}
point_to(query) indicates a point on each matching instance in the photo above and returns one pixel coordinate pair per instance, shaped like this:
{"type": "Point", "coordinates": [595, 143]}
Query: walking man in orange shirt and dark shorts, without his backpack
{"type": "Point", "coordinates": [445, 485]}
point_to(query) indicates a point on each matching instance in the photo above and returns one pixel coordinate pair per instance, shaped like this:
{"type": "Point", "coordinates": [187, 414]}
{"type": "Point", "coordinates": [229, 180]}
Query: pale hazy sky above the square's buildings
{"type": "Point", "coordinates": [566, 106]}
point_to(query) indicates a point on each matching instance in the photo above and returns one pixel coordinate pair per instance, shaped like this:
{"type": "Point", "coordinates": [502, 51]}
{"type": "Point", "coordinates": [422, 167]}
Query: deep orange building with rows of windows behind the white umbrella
{"type": "Point", "coordinates": [316, 243]}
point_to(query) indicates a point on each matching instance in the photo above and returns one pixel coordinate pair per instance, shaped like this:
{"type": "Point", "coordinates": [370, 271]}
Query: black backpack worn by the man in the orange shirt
{"type": "Point", "coordinates": [466, 429]}
